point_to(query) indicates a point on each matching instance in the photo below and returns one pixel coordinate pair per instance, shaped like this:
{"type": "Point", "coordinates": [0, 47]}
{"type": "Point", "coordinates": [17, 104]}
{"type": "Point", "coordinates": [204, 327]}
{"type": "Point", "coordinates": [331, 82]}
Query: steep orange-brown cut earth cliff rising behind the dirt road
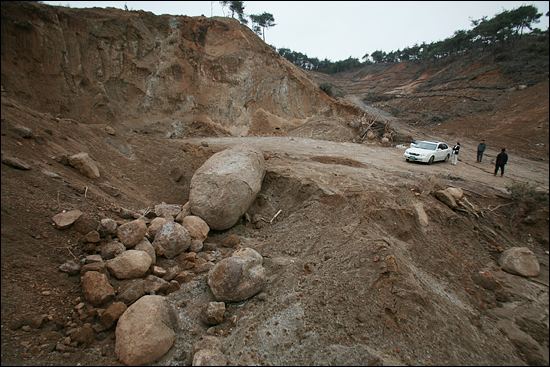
{"type": "Point", "coordinates": [135, 68]}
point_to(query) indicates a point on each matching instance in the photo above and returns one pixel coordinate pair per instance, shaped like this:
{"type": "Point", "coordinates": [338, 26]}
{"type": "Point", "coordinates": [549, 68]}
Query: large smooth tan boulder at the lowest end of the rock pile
{"type": "Point", "coordinates": [145, 331]}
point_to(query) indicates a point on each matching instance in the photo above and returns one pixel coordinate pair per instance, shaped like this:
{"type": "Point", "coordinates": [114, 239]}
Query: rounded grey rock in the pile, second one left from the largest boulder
{"type": "Point", "coordinates": [171, 240]}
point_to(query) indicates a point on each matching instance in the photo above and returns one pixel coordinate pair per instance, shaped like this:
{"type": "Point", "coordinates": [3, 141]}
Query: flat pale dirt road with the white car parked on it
{"type": "Point", "coordinates": [344, 165]}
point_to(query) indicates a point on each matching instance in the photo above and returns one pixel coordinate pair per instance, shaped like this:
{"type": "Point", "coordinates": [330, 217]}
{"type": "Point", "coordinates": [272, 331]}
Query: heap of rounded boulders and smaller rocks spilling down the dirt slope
{"type": "Point", "coordinates": [128, 249]}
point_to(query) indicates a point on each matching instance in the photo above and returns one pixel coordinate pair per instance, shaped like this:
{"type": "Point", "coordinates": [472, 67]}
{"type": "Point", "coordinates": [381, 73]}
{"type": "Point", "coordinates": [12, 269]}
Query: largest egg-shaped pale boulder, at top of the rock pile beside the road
{"type": "Point", "coordinates": [224, 187]}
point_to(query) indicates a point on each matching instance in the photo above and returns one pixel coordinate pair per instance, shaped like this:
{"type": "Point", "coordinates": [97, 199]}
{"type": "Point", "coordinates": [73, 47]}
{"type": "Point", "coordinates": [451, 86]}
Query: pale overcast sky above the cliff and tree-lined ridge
{"type": "Point", "coordinates": [338, 30]}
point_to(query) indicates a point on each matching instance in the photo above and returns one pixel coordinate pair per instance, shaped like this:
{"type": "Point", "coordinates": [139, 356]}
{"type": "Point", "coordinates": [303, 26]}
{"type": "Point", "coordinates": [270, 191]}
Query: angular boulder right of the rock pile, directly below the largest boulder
{"type": "Point", "coordinates": [238, 277]}
